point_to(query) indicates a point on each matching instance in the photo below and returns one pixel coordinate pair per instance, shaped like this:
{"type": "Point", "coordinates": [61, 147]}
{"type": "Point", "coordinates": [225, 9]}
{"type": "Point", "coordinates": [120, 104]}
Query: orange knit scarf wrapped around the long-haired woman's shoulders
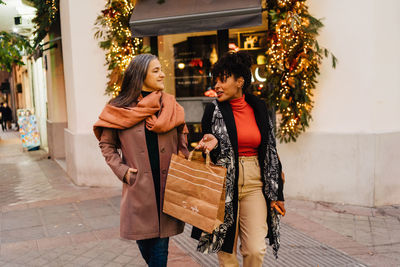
{"type": "Point", "coordinates": [170, 115]}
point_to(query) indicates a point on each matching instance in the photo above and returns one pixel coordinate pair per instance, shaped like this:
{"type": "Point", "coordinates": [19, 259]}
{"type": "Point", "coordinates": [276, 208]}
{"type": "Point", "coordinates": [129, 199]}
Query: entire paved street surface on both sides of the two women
{"type": "Point", "coordinates": [46, 220]}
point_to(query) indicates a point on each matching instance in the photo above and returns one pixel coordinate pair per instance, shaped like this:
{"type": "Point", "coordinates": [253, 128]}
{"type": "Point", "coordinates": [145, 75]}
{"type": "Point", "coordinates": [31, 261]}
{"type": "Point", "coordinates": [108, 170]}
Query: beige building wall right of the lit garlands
{"type": "Point", "coordinates": [351, 152]}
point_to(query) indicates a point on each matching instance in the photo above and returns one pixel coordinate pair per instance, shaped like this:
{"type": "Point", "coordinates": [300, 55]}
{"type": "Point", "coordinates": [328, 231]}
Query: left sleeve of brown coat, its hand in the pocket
{"type": "Point", "coordinates": [109, 143]}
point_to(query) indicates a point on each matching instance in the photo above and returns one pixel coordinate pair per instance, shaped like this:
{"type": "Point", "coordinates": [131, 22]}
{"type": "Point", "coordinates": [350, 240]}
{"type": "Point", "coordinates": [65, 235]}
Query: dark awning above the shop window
{"type": "Point", "coordinates": [179, 16]}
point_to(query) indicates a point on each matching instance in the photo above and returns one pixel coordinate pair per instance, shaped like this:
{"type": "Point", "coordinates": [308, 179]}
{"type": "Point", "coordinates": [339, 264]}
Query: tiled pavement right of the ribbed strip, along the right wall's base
{"type": "Point", "coordinates": [371, 235]}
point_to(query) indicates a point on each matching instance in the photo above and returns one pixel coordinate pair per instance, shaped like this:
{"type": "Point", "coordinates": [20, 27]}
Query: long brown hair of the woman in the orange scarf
{"type": "Point", "coordinates": [132, 83]}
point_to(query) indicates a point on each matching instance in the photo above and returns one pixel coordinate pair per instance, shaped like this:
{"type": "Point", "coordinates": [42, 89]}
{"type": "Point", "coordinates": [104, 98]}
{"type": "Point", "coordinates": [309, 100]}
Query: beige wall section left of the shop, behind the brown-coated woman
{"type": "Point", "coordinates": [85, 81]}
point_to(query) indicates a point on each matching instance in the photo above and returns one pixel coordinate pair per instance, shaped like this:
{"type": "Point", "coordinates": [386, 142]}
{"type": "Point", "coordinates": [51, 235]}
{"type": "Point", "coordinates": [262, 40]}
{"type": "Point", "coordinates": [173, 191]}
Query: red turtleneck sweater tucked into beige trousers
{"type": "Point", "coordinates": [249, 136]}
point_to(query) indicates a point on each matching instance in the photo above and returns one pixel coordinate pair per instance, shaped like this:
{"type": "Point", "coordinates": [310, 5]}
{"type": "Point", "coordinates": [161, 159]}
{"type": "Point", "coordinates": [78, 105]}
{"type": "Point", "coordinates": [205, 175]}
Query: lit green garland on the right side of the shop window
{"type": "Point", "coordinates": [293, 60]}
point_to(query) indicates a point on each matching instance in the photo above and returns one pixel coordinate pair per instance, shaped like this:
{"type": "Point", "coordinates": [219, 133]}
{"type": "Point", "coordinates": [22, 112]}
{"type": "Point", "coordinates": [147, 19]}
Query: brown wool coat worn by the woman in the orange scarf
{"type": "Point", "coordinates": [139, 216]}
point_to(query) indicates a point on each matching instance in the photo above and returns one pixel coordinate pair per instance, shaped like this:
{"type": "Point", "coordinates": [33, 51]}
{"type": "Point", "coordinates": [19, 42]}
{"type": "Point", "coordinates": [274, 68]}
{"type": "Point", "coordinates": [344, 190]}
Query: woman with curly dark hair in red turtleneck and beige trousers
{"type": "Point", "coordinates": [239, 135]}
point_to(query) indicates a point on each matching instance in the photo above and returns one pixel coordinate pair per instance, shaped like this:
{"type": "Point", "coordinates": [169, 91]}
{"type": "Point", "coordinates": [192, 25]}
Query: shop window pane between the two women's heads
{"type": "Point", "coordinates": [187, 60]}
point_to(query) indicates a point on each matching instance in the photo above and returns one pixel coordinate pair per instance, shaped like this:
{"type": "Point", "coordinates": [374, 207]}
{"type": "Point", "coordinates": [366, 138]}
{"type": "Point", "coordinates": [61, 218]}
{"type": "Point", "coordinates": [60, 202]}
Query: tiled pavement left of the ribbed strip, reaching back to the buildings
{"type": "Point", "coordinates": [45, 220]}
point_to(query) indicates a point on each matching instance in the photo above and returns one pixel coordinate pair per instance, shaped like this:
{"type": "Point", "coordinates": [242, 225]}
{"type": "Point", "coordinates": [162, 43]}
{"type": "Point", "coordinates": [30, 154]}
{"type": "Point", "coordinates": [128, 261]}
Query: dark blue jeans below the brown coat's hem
{"type": "Point", "coordinates": [154, 251]}
